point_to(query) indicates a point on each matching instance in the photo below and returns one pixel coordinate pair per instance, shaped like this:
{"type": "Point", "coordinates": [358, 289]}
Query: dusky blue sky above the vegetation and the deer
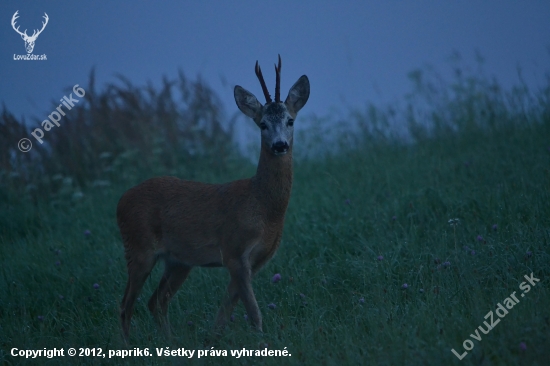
{"type": "Point", "coordinates": [352, 51]}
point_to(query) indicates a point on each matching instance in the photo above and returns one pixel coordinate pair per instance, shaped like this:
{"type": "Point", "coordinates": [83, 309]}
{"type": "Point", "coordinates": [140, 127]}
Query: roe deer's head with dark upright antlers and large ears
{"type": "Point", "coordinates": [275, 118]}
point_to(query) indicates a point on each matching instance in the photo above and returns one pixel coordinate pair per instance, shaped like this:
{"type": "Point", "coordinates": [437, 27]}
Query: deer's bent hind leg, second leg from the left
{"type": "Point", "coordinates": [172, 279]}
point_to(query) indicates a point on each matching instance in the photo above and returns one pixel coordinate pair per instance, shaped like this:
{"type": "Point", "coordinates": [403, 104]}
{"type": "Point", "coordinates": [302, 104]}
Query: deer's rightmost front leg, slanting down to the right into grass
{"type": "Point", "coordinates": [242, 276]}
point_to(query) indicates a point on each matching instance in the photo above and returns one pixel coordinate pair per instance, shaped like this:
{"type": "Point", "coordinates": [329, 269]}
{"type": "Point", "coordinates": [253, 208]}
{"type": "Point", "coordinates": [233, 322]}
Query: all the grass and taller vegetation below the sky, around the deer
{"type": "Point", "coordinates": [372, 271]}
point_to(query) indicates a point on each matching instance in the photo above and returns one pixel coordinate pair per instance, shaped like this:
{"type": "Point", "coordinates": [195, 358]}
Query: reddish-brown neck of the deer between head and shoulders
{"type": "Point", "coordinates": [273, 182]}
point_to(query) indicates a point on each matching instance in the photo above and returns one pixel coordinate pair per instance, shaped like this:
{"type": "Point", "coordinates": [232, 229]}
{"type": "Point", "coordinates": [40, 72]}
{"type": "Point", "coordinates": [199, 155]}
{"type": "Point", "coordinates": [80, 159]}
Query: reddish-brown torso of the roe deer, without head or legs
{"type": "Point", "coordinates": [186, 229]}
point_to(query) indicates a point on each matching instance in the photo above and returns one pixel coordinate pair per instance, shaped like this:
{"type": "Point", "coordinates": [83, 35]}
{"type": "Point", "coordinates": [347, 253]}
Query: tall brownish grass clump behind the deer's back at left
{"type": "Point", "coordinates": [120, 131]}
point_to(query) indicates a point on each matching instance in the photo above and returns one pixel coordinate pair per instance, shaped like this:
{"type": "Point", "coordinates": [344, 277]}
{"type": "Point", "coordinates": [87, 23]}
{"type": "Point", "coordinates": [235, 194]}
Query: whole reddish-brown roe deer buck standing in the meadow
{"type": "Point", "coordinates": [237, 225]}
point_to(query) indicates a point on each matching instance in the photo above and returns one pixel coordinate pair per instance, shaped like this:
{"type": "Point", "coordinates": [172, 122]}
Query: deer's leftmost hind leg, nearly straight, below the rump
{"type": "Point", "coordinates": [139, 267]}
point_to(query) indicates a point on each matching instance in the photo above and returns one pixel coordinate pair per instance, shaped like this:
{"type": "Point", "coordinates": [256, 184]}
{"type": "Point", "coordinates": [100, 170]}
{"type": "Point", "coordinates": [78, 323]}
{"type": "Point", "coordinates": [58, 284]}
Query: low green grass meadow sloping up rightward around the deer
{"type": "Point", "coordinates": [372, 272]}
